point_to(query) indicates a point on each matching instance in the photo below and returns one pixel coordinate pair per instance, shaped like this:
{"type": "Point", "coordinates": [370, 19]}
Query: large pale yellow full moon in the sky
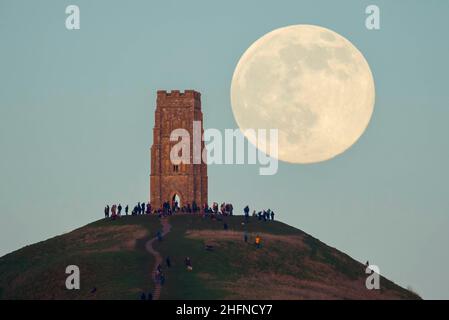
{"type": "Point", "coordinates": [311, 84]}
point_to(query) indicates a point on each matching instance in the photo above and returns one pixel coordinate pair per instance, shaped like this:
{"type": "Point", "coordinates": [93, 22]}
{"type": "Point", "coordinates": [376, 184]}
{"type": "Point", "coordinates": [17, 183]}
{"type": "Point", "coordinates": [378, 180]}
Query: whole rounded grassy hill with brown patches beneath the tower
{"type": "Point", "coordinates": [112, 258]}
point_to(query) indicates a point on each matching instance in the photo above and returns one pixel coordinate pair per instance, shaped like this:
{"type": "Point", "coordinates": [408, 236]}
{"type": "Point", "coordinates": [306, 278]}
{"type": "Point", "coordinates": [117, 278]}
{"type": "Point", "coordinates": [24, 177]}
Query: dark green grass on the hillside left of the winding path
{"type": "Point", "coordinates": [38, 271]}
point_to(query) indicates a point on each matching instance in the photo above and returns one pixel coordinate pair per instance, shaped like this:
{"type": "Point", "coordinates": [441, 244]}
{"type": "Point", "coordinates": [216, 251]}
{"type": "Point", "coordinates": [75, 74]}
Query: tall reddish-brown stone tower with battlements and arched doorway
{"type": "Point", "coordinates": [176, 110]}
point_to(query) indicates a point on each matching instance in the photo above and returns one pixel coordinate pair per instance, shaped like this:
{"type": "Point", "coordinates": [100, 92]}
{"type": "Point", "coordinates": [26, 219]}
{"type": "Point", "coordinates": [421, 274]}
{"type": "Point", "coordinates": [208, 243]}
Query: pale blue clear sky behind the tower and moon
{"type": "Point", "coordinates": [76, 117]}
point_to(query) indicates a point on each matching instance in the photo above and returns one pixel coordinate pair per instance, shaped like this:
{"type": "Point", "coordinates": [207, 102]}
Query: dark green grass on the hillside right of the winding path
{"type": "Point", "coordinates": [230, 261]}
